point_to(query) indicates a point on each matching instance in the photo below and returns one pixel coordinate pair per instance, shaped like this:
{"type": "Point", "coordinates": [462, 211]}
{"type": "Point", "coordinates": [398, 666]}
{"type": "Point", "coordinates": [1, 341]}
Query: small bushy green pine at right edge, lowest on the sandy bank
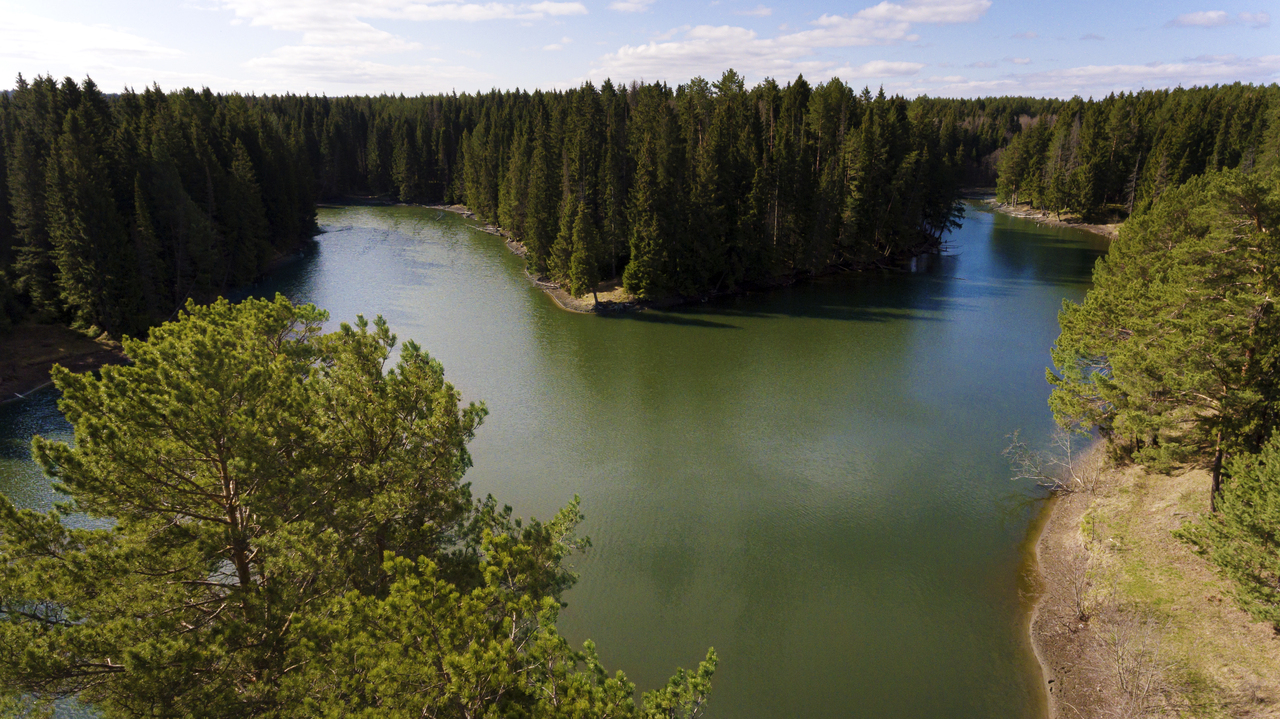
{"type": "Point", "coordinates": [1245, 539]}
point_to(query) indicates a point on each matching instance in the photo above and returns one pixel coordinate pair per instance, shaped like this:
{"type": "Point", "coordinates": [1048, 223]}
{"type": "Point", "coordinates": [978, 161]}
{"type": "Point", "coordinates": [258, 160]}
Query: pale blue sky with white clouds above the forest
{"type": "Point", "coordinates": [939, 48]}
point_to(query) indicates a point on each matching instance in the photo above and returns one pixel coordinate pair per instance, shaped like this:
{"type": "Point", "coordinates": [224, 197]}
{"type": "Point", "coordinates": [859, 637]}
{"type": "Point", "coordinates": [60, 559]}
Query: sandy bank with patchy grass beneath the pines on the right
{"type": "Point", "coordinates": [1131, 622]}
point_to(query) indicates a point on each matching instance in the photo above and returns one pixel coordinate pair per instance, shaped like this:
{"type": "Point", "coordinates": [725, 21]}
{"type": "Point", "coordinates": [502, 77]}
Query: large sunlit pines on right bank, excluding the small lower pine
{"type": "Point", "coordinates": [1173, 354]}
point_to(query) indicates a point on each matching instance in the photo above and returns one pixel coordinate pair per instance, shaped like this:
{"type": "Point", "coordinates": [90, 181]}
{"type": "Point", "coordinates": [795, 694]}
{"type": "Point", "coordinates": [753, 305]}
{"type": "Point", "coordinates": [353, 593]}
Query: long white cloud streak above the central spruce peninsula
{"type": "Point", "coordinates": [711, 49]}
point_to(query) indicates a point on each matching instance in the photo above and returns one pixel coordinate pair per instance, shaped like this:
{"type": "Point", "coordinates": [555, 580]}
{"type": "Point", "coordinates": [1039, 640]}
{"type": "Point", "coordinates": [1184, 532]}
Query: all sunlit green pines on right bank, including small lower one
{"type": "Point", "coordinates": [1176, 356]}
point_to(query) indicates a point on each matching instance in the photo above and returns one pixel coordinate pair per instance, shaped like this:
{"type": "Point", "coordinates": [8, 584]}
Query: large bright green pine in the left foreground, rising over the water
{"type": "Point", "coordinates": [282, 530]}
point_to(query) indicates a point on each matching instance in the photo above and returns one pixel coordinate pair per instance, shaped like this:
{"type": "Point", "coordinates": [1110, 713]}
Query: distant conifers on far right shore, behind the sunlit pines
{"type": "Point", "coordinates": [1108, 159]}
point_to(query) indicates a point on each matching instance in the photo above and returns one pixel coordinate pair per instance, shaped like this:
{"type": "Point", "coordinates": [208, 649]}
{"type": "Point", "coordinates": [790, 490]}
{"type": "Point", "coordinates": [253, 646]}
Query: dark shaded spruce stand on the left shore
{"type": "Point", "coordinates": [120, 210]}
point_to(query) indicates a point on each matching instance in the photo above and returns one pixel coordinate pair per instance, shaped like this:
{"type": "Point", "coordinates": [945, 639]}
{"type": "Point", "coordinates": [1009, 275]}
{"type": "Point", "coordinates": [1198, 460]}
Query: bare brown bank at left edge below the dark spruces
{"type": "Point", "coordinates": [30, 351]}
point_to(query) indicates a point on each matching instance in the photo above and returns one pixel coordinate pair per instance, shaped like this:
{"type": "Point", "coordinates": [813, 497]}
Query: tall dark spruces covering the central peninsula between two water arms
{"type": "Point", "coordinates": [682, 191]}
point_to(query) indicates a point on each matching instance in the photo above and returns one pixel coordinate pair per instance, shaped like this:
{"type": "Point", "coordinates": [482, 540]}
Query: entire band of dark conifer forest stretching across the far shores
{"type": "Point", "coordinates": [117, 209]}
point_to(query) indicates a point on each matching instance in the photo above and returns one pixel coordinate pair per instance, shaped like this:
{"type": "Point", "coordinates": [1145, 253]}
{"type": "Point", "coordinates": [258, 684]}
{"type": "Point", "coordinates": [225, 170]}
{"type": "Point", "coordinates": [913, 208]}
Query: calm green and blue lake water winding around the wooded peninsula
{"type": "Point", "coordinates": [808, 479]}
